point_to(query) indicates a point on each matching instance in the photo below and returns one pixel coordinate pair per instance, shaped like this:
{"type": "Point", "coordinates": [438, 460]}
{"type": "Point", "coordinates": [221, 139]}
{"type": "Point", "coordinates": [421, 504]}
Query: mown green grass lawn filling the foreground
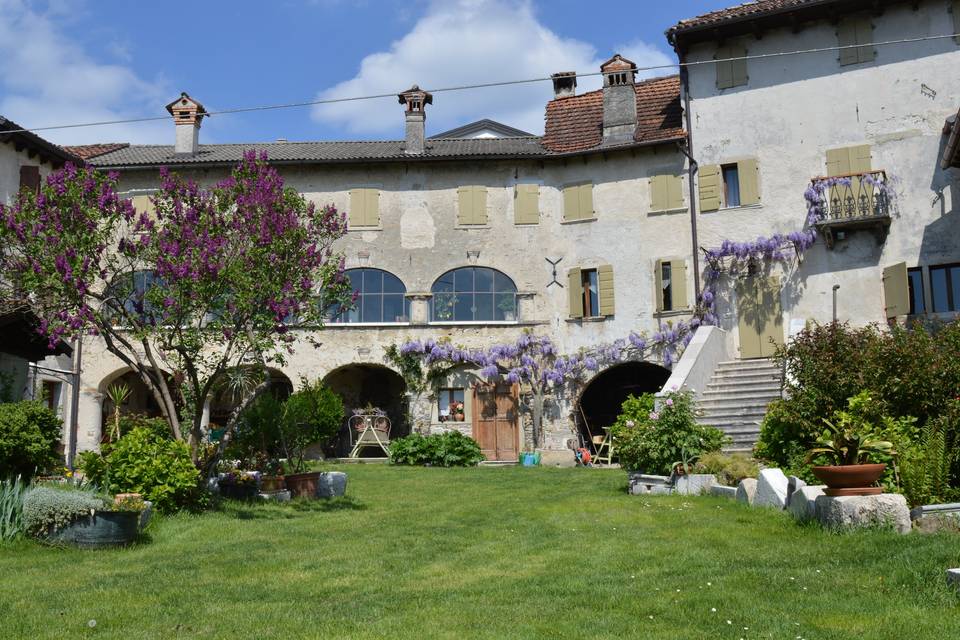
{"type": "Point", "coordinates": [490, 553]}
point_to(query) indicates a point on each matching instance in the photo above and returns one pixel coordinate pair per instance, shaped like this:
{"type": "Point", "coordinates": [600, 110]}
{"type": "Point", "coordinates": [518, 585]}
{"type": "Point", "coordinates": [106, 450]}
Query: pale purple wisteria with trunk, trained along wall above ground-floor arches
{"type": "Point", "coordinates": [535, 362]}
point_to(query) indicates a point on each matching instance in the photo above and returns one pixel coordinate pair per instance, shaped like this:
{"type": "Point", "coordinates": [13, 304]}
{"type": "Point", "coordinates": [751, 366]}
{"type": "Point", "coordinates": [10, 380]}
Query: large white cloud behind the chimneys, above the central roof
{"type": "Point", "coordinates": [470, 42]}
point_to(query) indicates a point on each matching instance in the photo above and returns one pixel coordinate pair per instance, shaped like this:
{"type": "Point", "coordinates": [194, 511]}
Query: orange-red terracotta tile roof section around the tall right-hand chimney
{"type": "Point", "coordinates": [576, 123]}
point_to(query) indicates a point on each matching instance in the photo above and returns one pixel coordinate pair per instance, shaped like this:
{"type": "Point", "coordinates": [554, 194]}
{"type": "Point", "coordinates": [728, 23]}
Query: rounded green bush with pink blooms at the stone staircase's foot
{"type": "Point", "coordinates": [652, 441]}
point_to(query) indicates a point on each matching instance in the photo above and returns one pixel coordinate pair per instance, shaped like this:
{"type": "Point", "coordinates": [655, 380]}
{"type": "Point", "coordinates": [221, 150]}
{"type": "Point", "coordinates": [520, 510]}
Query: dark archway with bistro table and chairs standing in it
{"type": "Point", "coordinates": [365, 384]}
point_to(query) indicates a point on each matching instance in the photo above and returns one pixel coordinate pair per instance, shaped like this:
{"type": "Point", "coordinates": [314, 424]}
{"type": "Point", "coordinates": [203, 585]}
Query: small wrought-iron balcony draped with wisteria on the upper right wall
{"type": "Point", "coordinates": [853, 202]}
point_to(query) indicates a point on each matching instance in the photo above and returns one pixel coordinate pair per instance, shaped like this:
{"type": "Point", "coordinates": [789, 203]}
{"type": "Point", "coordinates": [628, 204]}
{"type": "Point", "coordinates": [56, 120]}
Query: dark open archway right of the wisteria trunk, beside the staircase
{"type": "Point", "coordinates": [600, 401]}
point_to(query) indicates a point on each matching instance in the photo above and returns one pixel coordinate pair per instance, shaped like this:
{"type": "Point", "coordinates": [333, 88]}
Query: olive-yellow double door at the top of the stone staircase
{"type": "Point", "coordinates": [760, 316]}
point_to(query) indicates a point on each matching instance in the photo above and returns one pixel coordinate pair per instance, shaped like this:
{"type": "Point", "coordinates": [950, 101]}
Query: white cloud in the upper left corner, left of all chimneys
{"type": "Point", "coordinates": [47, 78]}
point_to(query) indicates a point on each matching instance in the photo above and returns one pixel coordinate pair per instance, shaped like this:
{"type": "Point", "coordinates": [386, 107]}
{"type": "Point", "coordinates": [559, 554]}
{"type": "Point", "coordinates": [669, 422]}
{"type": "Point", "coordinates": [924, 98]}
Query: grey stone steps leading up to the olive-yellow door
{"type": "Point", "coordinates": [736, 399]}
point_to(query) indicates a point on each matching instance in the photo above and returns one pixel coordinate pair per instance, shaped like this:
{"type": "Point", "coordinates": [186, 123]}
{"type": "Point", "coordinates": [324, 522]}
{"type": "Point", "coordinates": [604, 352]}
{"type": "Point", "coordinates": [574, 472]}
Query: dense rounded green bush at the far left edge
{"type": "Point", "coordinates": [29, 437]}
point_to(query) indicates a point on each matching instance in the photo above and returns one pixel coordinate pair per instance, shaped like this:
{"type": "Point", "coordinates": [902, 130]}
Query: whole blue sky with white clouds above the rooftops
{"type": "Point", "coordinates": [68, 61]}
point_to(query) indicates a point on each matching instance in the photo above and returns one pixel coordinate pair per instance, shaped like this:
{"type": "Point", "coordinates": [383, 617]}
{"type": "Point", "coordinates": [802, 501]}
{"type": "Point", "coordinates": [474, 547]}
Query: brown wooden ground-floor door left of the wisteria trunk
{"type": "Point", "coordinates": [495, 417]}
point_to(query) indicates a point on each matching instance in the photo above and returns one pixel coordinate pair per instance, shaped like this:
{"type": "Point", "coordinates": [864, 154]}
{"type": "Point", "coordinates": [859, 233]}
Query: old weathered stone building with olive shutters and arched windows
{"type": "Point", "coordinates": [601, 226]}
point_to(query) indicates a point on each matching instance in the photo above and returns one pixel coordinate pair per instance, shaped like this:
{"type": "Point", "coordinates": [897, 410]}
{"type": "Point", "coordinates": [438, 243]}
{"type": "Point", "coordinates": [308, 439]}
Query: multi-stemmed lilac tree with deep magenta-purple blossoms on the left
{"type": "Point", "coordinates": [209, 282]}
